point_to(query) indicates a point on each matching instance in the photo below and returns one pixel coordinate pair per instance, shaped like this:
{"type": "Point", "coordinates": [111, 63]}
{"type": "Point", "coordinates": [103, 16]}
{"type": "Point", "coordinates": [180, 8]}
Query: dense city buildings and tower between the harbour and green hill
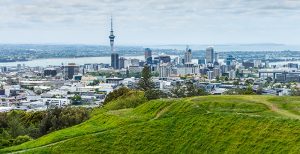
{"type": "Point", "coordinates": [40, 88]}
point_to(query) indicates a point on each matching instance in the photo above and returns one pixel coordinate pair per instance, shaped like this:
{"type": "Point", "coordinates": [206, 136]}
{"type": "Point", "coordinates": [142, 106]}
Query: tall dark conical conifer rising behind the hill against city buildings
{"type": "Point", "coordinates": [146, 82]}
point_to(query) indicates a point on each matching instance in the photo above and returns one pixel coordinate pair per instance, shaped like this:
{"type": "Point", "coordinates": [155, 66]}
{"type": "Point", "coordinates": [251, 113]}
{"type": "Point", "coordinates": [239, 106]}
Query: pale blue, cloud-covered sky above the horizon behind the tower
{"type": "Point", "coordinates": [150, 22]}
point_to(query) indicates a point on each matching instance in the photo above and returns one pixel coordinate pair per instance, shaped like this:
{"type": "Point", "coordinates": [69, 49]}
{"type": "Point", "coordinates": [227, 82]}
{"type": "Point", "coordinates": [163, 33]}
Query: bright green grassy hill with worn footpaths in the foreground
{"type": "Point", "coordinates": [207, 124]}
